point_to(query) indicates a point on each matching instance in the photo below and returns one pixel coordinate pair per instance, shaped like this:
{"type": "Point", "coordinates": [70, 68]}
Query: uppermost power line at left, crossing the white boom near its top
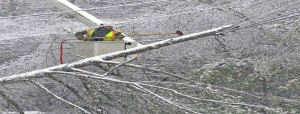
{"type": "Point", "coordinates": [50, 13]}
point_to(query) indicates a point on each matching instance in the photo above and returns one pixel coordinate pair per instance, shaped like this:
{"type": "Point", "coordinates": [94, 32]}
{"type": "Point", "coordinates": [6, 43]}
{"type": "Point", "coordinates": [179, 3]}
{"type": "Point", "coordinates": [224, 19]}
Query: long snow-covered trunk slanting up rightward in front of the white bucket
{"type": "Point", "coordinates": [88, 61]}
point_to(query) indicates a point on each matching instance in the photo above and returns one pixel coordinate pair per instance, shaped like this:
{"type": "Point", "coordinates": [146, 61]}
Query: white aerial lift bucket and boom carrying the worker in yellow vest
{"type": "Point", "coordinates": [92, 48]}
